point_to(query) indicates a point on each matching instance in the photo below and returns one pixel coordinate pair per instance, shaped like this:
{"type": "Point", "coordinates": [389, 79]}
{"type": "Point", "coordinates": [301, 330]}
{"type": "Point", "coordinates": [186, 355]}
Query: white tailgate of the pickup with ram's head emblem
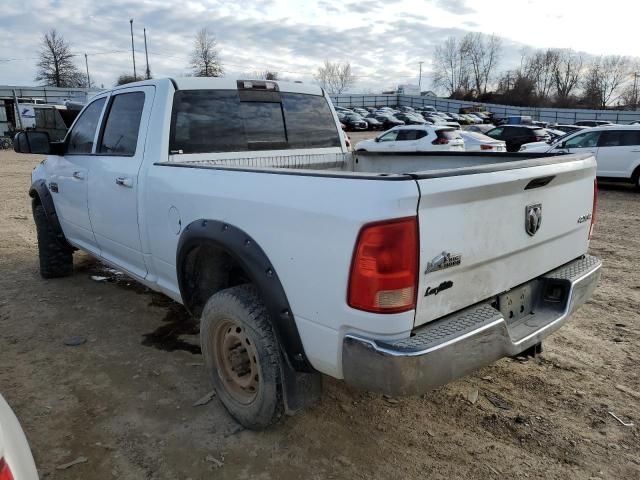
{"type": "Point", "coordinates": [480, 217]}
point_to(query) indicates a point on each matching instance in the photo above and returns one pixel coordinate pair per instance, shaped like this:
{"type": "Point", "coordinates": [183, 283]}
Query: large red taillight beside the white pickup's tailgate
{"type": "Point", "coordinates": [384, 267]}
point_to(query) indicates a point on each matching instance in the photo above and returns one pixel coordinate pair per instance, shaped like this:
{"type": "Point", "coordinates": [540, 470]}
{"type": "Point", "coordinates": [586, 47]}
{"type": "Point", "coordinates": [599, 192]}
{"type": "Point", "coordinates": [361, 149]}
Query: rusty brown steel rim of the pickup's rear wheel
{"type": "Point", "coordinates": [236, 361]}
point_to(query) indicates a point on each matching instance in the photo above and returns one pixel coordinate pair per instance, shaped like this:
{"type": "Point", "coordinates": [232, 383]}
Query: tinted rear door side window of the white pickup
{"type": "Point", "coordinates": [120, 135]}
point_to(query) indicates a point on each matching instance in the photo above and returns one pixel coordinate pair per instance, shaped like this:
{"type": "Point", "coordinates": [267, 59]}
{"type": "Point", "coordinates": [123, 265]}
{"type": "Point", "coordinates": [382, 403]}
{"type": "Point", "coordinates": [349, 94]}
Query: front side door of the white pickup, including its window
{"type": "Point", "coordinates": [68, 177]}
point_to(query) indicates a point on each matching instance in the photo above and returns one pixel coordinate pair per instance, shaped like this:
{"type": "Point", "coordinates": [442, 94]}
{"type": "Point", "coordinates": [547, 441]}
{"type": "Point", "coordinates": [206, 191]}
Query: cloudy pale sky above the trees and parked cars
{"type": "Point", "coordinates": [383, 40]}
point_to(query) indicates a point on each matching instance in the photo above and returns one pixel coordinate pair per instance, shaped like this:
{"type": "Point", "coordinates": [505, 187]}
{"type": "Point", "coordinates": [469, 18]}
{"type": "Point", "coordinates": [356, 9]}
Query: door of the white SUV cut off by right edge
{"type": "Point", "coordinates": [618, 152]}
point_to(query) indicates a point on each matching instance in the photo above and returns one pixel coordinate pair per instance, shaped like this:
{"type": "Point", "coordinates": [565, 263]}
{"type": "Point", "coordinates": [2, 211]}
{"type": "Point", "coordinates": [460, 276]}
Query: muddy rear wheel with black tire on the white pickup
{"type": "Point", "coordinates": [242, 306]}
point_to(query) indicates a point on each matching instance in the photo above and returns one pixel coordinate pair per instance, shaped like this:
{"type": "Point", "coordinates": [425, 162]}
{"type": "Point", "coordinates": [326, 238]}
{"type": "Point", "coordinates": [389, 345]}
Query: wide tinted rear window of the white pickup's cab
{"type": "Point", "coordinates": [217, 121]}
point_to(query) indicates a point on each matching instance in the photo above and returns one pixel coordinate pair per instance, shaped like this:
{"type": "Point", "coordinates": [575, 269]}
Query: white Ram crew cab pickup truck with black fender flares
{"type": "Point", "coordinates": [239, 199]}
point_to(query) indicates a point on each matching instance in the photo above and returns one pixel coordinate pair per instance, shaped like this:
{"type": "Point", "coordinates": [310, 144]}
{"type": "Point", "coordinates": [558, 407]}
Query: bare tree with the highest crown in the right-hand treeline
{"type": "Point", "coordinates": [482, 52]}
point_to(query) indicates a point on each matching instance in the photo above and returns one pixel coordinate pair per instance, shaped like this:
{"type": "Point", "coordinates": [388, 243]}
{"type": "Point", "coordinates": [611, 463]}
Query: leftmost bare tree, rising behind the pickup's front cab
{"type": "Point", "coordinates": [55, 64]}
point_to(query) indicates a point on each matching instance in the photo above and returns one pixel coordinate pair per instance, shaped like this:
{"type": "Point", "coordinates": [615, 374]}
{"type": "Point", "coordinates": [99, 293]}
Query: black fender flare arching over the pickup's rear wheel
{"type": "Point", "coordinates": [249, 255]}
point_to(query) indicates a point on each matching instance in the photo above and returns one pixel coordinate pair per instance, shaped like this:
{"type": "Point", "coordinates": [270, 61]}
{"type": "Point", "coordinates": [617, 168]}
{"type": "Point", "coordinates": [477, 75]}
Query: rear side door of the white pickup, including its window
{"type": "Point", "coordinates": [113, 178]}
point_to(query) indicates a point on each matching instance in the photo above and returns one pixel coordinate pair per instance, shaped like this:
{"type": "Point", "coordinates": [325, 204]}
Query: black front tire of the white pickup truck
{"type": "Point", "coordinates": [55, 260]}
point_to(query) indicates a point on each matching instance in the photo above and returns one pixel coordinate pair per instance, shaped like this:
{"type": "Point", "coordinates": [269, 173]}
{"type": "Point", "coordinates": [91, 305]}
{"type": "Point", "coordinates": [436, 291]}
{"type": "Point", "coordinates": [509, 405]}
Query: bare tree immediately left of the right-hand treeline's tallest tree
{"type": "Point", "coordinates": [451, 68]}
